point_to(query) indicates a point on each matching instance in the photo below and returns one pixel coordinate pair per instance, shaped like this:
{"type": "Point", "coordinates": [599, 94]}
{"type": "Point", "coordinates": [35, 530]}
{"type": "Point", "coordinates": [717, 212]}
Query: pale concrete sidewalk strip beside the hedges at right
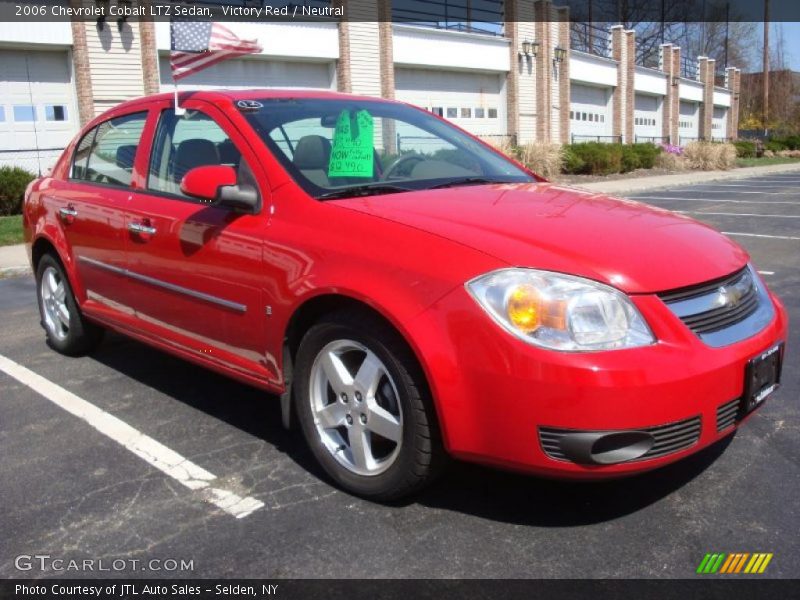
{"type": "Point", "coordinates": [627, 186]}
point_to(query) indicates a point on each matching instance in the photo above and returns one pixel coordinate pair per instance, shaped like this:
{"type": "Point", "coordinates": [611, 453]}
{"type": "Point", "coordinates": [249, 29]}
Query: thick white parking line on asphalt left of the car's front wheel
{"type": "Point", "coordinates": [156, 454]}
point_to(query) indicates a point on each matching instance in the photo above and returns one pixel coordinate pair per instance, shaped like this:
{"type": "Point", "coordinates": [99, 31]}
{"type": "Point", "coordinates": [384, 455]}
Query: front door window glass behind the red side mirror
{"type": "Point", "coordinates": [185, 142]}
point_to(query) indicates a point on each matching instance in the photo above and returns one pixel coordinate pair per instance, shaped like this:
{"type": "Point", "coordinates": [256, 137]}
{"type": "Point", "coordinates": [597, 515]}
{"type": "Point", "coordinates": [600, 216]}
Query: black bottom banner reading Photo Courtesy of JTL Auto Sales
{"type": "Point", "coordinates": [705, 587]}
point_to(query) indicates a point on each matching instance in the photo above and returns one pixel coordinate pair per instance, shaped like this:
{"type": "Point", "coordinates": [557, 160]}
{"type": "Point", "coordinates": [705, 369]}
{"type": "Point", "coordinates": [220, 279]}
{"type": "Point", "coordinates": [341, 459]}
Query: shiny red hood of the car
{"type": "Point", "coordinates": [632, 246]}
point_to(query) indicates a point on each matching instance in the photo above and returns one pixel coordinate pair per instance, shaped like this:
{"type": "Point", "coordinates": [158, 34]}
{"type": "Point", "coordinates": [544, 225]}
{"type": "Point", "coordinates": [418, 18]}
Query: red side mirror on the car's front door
{"type": "Point", "coordinates": [217, 184]}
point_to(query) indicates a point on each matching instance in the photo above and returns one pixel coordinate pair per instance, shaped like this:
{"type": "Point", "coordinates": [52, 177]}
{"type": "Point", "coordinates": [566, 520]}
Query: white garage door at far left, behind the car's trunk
{"type": "Point", "coordinates": [37, 107]}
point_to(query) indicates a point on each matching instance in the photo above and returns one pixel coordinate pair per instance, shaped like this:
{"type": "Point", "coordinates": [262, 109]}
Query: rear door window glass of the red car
{"type": "Point", "coordinates": [106, 154]}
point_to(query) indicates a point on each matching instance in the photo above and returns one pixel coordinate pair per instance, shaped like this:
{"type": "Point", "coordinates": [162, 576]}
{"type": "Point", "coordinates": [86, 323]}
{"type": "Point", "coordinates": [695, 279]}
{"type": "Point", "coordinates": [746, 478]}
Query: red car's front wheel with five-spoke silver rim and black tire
{"type": "Point", "coordinates": [365, 409]}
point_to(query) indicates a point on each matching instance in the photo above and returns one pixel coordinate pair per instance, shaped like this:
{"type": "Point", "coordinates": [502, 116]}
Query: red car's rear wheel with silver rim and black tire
{"type": "Point", "coordinates": [68, 331]}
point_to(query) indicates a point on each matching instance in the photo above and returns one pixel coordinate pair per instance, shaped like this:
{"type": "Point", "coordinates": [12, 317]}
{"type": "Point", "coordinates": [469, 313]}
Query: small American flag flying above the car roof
{"type": "Point", "coordinates": [197, 45]}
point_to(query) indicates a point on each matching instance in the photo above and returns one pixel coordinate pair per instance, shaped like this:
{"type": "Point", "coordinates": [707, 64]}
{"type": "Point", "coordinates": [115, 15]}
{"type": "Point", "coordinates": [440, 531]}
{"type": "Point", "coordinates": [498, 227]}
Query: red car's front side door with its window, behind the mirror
{"type": "Point", "coordinates": [197, 268]}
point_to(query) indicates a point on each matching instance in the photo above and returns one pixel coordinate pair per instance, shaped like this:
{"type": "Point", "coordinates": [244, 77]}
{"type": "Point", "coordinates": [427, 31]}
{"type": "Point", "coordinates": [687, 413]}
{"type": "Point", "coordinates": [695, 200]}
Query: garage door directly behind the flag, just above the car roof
{"type": "Point", "coordinates": [254, 73]}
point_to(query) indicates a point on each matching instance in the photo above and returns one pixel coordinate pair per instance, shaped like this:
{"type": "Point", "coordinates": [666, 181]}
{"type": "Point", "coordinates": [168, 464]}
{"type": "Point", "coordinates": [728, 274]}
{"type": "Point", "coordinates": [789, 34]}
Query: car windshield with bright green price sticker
{"type": "Point", "coordinates": [338, 148]}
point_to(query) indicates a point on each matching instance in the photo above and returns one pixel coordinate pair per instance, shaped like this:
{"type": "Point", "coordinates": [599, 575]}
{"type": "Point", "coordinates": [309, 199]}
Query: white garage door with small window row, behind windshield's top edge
{"type": "Point", "coordinates": [474, 101]}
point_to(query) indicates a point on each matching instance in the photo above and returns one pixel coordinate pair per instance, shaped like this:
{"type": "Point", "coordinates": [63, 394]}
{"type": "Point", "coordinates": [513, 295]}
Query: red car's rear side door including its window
{"type": "Point", "coordinates": [90, 207]}
